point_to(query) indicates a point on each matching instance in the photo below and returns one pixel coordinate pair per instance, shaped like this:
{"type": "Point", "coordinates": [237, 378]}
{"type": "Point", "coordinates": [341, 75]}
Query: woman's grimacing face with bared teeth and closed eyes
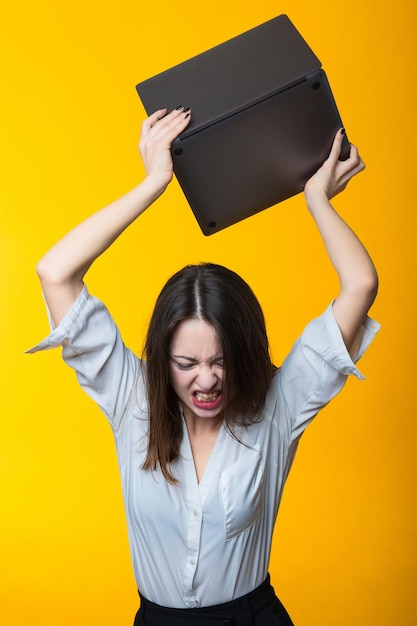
{"type": "Point", "coordinates": [196, 369]}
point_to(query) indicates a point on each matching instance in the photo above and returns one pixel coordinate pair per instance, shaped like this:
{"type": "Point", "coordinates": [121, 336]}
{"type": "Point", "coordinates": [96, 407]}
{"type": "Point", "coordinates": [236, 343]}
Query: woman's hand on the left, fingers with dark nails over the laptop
{"type": "Point", "coordinates": [158, 132]}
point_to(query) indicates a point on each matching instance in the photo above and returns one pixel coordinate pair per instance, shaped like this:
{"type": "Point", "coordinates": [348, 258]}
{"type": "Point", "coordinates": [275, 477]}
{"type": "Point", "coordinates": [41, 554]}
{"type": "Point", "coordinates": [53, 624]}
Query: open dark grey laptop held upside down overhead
{"type": "Point", "coordinates": [263, 121]}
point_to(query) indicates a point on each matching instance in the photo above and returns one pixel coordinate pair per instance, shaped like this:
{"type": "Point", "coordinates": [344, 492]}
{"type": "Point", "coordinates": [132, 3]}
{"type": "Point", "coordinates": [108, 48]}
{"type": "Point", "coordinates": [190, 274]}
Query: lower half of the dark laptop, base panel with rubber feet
{"type": "Point", "coordinates": [259, 156]}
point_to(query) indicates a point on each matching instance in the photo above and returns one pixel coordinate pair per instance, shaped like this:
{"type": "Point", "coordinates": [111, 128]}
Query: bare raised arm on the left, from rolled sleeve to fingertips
{"type": "Point", "coordinates": [62, 269]}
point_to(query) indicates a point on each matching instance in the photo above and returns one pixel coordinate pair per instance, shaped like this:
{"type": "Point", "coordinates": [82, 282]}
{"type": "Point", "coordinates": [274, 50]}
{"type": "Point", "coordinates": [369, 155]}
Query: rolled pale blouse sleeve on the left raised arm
{"type": "Point", "coordinates": [93, 347]}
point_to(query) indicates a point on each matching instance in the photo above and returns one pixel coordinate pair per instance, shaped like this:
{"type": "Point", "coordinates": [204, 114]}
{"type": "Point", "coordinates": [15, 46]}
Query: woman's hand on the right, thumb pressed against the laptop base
{"type": "Point", "coordinates": [334, 175]}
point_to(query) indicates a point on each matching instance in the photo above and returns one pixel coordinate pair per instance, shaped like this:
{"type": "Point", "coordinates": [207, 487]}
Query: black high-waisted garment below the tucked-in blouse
{"type": "Point", "coordinates": [260, 607]}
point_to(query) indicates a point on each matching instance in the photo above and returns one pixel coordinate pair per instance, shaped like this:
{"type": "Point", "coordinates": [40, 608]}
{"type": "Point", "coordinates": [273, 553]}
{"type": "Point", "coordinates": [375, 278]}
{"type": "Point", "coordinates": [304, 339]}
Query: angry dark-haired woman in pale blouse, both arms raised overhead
{"type": "Point", "coordinates": [206, 428]}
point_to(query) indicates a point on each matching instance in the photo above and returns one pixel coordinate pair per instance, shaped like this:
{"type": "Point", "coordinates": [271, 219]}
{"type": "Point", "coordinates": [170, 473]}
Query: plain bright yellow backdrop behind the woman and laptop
{"type": "Point", "coordinates": [344, 548]}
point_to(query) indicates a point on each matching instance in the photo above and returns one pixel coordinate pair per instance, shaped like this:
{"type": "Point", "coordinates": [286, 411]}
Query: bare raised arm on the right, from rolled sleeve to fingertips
{"type": "Point", "coordinates": [355, 269]}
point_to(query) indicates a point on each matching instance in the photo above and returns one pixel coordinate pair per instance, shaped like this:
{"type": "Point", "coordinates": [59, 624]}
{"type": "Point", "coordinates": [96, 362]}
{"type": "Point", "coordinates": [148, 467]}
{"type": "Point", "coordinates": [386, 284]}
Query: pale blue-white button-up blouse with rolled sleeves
{"type": "Point", "coordinates": [198, 544]}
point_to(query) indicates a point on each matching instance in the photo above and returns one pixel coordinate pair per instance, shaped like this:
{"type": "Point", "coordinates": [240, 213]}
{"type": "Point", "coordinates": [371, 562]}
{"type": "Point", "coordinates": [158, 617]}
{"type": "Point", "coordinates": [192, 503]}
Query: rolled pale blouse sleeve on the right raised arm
{"type": "Point", "coordinates": [317, 368]}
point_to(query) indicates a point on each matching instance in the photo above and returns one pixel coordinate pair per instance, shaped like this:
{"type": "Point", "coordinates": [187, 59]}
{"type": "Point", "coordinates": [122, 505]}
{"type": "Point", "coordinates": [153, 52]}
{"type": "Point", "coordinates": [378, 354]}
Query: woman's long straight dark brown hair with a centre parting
{"type": "Point", "coordinates": [223, 299]}
